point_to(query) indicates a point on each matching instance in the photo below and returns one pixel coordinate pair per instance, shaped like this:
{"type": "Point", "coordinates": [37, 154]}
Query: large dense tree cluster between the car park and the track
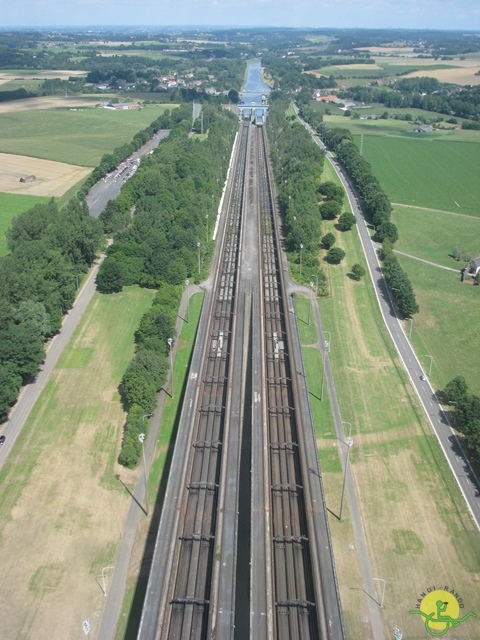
{"type": "Point", "coordinates": [171, 194]}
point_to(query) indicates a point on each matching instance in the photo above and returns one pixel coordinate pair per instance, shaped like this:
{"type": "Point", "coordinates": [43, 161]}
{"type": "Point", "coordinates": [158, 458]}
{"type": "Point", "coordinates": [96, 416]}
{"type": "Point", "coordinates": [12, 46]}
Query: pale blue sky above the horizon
{"type": "Point", "coordinates": [410, 14]}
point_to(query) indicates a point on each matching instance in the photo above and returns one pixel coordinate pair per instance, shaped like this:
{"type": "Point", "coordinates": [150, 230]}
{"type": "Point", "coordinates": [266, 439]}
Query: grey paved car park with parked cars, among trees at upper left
{"type": "Point", "coordinates": [109, 187]}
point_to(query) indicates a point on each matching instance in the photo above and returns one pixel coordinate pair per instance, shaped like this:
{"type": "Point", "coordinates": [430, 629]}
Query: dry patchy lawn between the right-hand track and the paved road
{"type": "Point", "coordinates": [411, 506]}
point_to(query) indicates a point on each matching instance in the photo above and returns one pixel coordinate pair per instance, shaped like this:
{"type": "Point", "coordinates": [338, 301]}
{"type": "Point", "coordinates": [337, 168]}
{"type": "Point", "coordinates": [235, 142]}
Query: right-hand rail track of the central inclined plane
{"type": "Point", "coordinates": [294, 485]}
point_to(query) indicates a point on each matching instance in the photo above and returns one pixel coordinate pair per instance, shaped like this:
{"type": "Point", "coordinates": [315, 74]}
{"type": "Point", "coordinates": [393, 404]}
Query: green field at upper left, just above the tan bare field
{"type": "Point", "coordinates": [79, 136]}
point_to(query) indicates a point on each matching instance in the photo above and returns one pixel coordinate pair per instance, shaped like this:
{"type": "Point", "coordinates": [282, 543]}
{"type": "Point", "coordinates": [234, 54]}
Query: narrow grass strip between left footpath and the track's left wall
{"type": "Point", "coordinates": [137, 579]}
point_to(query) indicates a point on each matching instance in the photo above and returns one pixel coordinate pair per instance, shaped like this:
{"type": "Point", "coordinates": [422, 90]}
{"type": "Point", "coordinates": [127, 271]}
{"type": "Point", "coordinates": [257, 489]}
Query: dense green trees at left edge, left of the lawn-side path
{"type": "Point", "coordinates": [49, 249]}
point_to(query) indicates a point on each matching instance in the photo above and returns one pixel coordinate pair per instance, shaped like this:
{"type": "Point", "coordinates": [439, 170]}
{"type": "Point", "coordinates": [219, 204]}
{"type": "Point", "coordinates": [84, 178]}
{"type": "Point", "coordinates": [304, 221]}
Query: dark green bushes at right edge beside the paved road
{"type": "Point", "coordinates": [466, 408]}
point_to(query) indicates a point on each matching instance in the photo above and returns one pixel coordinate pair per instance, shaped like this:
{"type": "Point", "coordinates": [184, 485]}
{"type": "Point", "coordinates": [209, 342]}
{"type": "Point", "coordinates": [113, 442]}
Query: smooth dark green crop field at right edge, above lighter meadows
{"type": "Point", "coordinates": [437, 174]}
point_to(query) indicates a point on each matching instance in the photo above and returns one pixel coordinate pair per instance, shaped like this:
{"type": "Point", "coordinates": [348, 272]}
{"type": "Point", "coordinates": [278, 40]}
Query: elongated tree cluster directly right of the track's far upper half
{"type": "Point", "coordinates": [298, 166]}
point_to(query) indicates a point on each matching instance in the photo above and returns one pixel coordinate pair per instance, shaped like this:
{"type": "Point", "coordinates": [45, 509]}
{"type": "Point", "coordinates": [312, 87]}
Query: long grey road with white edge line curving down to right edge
{"type": "Point", "coordinates": [467, 481]}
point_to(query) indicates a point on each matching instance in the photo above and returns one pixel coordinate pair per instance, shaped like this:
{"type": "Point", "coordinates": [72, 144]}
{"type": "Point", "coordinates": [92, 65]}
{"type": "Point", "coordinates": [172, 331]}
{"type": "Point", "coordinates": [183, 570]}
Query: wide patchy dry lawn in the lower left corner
{"type": "Point", "coordinates": [62, 509]}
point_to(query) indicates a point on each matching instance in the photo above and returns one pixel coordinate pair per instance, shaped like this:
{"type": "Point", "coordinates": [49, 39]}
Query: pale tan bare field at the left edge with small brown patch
{"type": "Point", "coordinates": [52, 179]}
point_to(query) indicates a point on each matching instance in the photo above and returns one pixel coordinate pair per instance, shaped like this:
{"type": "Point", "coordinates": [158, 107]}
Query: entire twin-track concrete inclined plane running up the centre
{"type": "Point", "coordinates": [192, 585]}
